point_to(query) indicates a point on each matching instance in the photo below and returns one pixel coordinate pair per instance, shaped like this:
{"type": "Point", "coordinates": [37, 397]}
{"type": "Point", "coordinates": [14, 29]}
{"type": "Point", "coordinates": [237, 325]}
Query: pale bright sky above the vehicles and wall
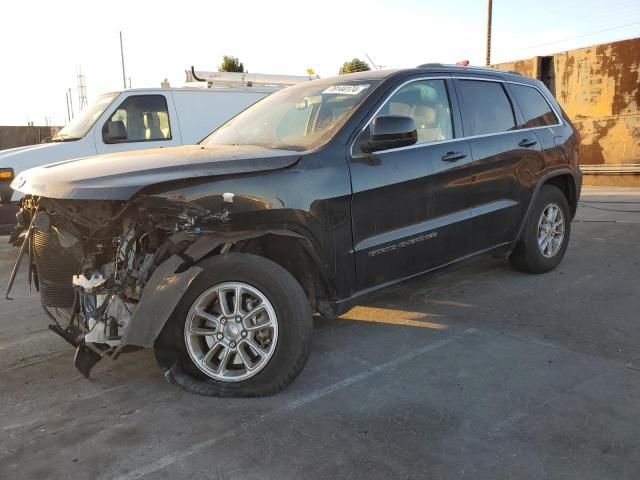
{"type": "Point", "coordinates": [45, 42]}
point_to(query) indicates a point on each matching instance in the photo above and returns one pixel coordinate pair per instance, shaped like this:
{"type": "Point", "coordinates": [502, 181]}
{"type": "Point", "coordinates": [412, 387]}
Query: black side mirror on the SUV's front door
{"type": "Point", "coordinates": [390, 131]}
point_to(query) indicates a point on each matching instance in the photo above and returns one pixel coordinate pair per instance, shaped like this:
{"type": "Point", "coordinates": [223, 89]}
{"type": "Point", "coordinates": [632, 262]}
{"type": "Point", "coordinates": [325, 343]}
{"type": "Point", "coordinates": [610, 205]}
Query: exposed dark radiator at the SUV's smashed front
{"type": "Point", "coordinates": [56, 267]}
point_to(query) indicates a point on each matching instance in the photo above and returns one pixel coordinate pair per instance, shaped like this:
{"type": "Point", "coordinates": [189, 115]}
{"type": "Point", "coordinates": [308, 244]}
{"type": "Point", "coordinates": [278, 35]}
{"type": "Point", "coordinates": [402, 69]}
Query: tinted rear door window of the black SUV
{"type": "Point", "coordinates": [486, 108]}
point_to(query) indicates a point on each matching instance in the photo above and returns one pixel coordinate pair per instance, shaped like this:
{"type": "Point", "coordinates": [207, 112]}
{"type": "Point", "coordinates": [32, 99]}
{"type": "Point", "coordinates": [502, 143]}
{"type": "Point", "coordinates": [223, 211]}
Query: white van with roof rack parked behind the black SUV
{"type": "Point", "coordinates": [135, 119]}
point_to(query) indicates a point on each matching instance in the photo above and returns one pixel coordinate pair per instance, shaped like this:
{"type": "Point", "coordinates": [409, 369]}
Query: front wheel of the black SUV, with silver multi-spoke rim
{"type": "Point", "coordinates": [243, 328]}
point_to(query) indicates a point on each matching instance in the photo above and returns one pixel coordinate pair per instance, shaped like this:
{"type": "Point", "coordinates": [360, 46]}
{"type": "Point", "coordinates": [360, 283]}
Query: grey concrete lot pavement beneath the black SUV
{"type": "Point", "coordinates": [477, 372]}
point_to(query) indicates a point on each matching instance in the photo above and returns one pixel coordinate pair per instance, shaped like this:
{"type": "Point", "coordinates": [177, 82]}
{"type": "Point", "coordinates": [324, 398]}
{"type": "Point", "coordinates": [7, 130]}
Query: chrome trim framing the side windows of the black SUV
{"type": "Point", "coordinates": [457, 139]}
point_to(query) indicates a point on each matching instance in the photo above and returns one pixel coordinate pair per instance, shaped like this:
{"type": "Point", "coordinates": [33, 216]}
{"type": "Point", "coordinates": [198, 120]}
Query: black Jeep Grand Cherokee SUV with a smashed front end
{"type": "Point", "coordinates": [217, 254]}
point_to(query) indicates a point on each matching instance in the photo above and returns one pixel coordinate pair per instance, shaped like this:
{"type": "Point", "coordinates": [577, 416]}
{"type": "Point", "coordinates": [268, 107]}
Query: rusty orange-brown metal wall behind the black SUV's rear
{"type": "Point", "coordinates": [599, 88]}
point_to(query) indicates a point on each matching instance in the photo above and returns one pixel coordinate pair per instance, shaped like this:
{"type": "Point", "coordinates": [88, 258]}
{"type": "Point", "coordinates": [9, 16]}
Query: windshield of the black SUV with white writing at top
{"type": "Point", "coordinates": [300, 118]}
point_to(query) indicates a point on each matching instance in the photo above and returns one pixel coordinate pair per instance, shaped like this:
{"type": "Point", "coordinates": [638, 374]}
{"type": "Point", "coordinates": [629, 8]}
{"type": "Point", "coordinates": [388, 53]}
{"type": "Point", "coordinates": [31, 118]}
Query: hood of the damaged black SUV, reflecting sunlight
{"type": "Point", "coordinates": [119, 176]}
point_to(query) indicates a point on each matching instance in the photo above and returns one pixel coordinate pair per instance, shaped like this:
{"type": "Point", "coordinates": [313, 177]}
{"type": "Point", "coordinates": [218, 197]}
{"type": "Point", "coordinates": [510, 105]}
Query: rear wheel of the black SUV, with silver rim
{"type": "Point", "coordinates": [546, 234]}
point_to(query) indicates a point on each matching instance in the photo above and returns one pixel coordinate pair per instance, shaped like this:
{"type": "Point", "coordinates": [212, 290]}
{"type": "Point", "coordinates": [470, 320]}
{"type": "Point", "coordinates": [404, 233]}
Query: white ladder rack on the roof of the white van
{"type": "Point", "coordinates": [237, 79]}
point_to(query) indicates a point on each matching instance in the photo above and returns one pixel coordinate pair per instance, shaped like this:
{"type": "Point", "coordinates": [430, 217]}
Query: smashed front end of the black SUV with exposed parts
{"type": "Point", "coordinates": [110, 273]}
